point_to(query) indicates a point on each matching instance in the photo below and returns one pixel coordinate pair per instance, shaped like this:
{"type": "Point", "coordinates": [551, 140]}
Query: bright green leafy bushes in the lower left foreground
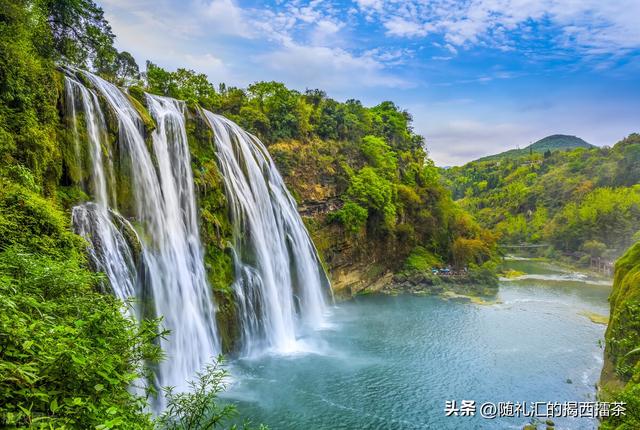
{"type": "Point", "coordinates": [67, 355]}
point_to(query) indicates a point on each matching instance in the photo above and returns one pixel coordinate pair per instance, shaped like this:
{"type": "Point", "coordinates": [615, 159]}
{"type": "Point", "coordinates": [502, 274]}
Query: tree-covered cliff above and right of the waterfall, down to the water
{"type": "Point", "coordinates": [360, 174]}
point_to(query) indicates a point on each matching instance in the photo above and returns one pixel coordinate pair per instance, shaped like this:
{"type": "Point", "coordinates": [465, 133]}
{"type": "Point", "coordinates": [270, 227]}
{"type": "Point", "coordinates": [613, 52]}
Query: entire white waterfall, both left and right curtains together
{"type": "Point", "coordinates": [157, 258]}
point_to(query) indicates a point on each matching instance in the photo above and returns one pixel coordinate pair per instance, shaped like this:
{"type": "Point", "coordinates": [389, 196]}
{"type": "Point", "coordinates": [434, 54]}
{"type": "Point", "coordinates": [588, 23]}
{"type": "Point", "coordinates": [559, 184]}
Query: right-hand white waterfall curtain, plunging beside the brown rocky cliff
{"type": "Point", "coordinates": [280, 284]}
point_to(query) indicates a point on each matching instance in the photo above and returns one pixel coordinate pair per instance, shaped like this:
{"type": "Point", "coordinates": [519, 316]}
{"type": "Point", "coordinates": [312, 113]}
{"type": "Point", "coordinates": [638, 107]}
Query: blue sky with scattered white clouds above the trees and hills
{"type": "Point", "coordinates": [478, 76]}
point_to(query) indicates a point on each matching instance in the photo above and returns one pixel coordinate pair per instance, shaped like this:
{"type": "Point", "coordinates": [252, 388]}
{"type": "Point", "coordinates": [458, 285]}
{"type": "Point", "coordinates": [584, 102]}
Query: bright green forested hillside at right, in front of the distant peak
{"type": "Point", "coordinates": [584, 201]}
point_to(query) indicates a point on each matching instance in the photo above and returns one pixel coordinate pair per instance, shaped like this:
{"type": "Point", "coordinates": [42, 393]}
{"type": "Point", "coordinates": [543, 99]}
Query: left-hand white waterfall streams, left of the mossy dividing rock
{"type": "Point", "coordinates": [166, 275]}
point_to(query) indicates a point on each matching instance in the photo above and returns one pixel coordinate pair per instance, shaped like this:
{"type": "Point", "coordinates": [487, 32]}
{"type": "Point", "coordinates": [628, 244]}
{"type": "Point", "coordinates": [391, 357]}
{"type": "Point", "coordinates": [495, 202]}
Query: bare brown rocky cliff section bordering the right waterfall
{"type": "Point", "coordinates": [315, 174]}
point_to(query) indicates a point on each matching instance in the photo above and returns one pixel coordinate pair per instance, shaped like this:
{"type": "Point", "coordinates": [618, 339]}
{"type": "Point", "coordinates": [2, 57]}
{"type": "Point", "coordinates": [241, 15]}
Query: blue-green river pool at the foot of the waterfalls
{"type": "Point", "coordinates": [391, 362]}
